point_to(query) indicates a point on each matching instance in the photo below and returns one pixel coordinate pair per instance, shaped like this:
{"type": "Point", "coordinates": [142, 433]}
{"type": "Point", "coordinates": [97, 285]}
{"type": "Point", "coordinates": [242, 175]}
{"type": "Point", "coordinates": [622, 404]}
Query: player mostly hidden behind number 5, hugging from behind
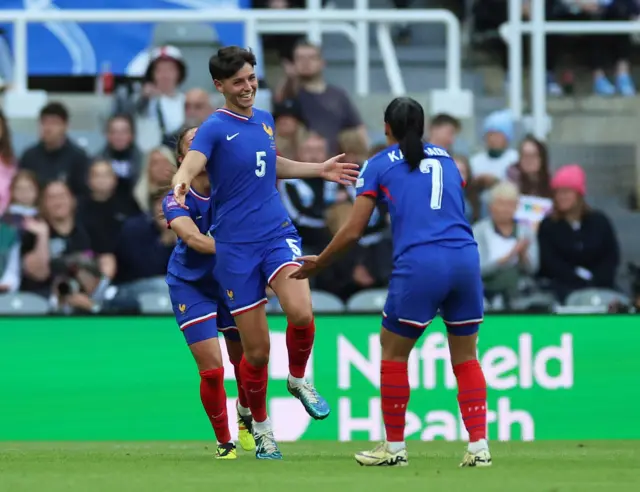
{"type": "Point", "coordinates": [196, 299]}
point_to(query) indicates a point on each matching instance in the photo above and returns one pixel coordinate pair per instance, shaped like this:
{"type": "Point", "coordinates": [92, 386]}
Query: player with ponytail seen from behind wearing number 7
{"type": "Point", "coordinates": [435, 267]}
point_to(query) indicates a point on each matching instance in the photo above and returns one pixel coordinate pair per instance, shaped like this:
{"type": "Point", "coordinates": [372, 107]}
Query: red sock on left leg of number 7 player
{"type": "Point", "coordinates": [394, 389]}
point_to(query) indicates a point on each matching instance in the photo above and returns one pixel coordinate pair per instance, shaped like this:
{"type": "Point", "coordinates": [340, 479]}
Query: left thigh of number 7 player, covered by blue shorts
{"type": "Point", "coordinates": [413, 299]}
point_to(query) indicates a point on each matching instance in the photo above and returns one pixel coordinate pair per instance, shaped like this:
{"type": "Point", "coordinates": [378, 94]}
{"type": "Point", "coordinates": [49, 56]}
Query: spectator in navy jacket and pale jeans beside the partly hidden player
{"type": "Point", "coordinates": [144, 247]}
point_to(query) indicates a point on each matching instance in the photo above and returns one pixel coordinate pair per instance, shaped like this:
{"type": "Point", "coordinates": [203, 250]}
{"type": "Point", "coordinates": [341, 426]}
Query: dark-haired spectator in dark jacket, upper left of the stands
{"type": "Point", "coordinates": [55, 157]}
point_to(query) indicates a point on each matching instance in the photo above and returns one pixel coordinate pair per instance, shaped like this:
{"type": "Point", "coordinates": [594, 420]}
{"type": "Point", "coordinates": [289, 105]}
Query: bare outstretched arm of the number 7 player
{"type": "Point", "coordinates": [348, 234]}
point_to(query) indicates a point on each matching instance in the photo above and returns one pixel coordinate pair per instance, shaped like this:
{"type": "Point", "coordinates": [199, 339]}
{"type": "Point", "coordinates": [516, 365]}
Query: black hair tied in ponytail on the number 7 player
{"type": "Point", "coordinates": [405, 119]}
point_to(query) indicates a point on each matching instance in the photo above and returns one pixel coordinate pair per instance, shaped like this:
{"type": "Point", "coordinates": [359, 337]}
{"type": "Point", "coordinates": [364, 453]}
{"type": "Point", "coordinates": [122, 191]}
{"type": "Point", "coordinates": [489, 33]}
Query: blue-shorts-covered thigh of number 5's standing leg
{"type": "Point", "coordinates": [238, 272]}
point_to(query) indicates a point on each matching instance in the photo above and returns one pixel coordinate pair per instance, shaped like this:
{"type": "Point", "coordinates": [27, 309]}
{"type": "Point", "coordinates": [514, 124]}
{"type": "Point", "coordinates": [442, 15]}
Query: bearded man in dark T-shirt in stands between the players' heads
{"type": "Point", "coordinates": [326, 108]}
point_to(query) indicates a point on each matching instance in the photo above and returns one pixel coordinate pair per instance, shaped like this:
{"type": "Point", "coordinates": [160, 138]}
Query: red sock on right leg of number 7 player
{"type": "Point", "coordinates": [472, 397]}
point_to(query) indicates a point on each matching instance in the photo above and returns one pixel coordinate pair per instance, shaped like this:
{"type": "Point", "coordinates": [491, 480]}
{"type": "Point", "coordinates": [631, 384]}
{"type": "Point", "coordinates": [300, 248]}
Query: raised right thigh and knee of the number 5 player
{"type": "Point", "coordinates": [294, 295]}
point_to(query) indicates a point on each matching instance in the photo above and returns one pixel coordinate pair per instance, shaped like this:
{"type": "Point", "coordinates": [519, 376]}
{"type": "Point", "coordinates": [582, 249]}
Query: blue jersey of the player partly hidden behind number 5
{"type": "Point", "coordinates": [186, 263]}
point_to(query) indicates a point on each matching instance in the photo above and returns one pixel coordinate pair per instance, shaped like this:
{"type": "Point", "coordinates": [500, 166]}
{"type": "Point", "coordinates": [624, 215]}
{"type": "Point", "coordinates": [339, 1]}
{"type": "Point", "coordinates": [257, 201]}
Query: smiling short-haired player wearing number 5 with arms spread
{"type": "Point", "coordinates": [255, 240]}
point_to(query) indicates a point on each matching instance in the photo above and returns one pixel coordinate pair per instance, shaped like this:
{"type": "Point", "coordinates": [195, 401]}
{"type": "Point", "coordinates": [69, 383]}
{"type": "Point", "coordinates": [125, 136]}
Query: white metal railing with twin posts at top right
{"type": "Point", "coordinates": [539, 27]}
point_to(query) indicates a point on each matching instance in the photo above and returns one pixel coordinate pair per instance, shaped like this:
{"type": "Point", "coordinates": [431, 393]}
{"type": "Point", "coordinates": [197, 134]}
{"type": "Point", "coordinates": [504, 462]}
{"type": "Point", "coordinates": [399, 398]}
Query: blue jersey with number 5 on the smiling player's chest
{"type": "Point", "coordinates": [241, 164]}
